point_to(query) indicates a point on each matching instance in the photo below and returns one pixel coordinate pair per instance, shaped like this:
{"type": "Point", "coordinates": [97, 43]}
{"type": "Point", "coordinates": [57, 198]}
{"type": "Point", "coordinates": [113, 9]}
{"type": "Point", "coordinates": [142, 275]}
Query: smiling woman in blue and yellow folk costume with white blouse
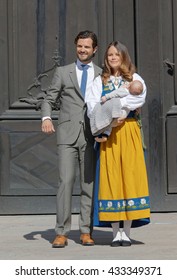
{"type": "Point", "coordinates": [121, 188]}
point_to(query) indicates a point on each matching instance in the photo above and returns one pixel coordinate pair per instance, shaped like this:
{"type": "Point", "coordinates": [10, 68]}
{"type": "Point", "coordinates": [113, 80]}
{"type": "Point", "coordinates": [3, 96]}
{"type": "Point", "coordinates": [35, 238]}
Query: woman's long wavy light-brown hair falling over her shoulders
{"type": "Point", "coordinates": [126, 69]}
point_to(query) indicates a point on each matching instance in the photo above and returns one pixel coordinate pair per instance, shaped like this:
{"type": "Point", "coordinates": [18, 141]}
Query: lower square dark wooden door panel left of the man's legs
{"type": "Point", "coordinates": [28, 163]}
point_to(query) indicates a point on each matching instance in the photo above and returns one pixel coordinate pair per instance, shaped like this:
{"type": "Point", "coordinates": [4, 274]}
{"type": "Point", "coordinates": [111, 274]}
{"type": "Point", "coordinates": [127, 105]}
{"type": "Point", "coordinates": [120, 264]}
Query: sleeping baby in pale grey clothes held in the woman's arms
{"type": "Point", "coordinates": [105, 115]}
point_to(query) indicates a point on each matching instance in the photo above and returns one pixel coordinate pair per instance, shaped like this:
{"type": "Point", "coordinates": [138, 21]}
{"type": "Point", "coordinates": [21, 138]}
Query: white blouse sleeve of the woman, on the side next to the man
{"type": "Point", "coordinates": [94, 95]}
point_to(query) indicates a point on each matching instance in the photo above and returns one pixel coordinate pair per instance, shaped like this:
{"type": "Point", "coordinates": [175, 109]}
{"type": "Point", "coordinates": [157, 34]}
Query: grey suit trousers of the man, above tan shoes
{"type": "Point", "coordinates": [69, 155]}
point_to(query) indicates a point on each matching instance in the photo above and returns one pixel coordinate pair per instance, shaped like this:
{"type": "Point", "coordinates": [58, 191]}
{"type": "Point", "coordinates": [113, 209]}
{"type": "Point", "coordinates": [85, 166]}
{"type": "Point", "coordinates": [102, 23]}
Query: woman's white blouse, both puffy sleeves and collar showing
{"type": "Point", "coordinates": [130, 101]}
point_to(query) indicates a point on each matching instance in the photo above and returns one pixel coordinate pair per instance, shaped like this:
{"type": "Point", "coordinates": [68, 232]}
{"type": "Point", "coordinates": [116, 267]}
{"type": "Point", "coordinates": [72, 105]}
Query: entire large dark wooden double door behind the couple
{"type": "Point", "coordinates": [36, 35]}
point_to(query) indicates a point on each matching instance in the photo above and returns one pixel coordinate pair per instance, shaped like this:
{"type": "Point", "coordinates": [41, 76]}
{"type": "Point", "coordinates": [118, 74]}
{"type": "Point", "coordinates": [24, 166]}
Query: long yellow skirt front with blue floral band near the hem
{"type": "Point", "coordinates": [123, 186]}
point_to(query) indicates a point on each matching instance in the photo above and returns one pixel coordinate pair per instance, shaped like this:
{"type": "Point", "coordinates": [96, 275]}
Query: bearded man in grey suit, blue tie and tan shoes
{"type": "Point", "coordinates": [74, 138]}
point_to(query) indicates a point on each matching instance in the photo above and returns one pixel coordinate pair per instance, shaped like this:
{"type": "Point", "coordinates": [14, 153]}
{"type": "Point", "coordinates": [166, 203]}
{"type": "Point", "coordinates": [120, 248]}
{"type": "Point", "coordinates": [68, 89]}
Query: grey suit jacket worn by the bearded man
{"type": "Point", "coordinates": [72, 112]}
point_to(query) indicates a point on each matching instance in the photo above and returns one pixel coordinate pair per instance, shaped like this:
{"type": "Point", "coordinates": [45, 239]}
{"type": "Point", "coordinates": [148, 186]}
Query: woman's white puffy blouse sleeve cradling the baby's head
{"type": "Point", "coordinates": [133, 102]}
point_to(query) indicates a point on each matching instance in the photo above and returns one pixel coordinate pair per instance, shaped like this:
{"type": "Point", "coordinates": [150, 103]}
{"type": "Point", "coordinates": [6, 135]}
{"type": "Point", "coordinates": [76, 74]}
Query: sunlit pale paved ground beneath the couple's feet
{"type": "Point", "coordinates": [30, 237]}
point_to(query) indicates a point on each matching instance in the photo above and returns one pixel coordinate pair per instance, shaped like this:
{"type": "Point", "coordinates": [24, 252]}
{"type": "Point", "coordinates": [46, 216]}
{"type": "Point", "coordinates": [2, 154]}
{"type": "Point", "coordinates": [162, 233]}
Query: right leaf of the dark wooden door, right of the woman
{"type": "Point", "coordinates": [156, 55]}
